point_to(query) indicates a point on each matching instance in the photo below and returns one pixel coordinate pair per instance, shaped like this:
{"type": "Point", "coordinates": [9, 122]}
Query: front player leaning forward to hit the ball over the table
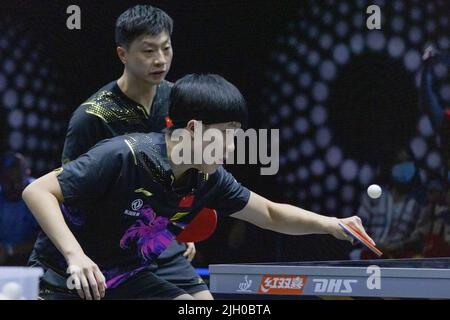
{"type": "Point", "coordinates": [113, 210]}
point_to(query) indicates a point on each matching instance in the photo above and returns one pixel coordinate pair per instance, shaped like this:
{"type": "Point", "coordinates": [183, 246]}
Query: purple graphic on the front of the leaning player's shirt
{"type": "Point", "coordinates": [149, 233]}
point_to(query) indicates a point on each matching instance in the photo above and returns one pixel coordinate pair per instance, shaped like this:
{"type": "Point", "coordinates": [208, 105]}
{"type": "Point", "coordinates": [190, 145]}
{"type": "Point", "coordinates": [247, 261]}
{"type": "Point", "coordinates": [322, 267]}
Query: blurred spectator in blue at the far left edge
{"type": "Point", "coordinates": [18, 227]}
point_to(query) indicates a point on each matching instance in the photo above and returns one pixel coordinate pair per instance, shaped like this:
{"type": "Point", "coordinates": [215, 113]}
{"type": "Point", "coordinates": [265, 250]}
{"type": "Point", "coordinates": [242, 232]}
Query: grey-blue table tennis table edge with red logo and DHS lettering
{"type": "Point", "coordinates": [403, 278]}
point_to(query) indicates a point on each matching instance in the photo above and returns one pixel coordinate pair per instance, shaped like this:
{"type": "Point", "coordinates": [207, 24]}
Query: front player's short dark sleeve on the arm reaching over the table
{"type": "Point", "coordinates": [231, 195]}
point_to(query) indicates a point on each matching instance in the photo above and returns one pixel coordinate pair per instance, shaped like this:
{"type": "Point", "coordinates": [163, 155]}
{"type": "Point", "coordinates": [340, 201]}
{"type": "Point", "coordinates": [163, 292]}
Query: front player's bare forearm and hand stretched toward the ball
{"type": "Point", "coordinates": [292, 220]}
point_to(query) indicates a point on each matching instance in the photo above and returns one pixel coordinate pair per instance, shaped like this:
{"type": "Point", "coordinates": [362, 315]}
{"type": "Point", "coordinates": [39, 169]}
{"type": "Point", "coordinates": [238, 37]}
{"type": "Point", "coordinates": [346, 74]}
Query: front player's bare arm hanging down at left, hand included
{"type": "Point", "coordinates": [43, 197]}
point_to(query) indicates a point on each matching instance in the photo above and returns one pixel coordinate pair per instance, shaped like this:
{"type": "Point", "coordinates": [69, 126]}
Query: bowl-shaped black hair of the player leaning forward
{"type": "Point", "coordinates": [208, 98]}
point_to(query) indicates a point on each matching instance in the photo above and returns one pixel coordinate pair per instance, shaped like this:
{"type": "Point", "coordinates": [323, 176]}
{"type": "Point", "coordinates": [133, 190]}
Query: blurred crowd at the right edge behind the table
{"type": "Point", "coordinates": [412, 218]}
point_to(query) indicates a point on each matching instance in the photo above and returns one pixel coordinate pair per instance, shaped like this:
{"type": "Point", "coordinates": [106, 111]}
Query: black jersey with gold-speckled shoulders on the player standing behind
{"type": "Point", "coordinates": [109, 113]}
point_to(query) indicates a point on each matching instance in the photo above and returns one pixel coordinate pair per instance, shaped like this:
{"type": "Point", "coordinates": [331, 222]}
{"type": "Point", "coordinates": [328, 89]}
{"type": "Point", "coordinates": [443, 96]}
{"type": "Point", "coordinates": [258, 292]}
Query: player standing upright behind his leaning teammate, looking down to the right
{"type": "Point", "coordinates": [136, 102]}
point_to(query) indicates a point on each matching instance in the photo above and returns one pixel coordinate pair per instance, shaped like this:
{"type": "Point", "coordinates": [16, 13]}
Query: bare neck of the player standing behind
{"type": "Point", "coordinates": [137, 90]}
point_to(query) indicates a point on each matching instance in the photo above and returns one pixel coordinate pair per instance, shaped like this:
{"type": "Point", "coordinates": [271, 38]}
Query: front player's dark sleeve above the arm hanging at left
{"type": "Point", "coordinates": [90, 176]}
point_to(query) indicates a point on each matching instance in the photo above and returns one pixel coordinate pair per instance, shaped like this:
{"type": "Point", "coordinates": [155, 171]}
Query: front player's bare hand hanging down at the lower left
{"type": "Point", "coordinates": [89, 281]}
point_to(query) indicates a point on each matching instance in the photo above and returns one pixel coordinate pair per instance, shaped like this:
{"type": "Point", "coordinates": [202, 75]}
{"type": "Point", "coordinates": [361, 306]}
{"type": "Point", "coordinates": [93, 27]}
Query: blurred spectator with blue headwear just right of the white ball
{"type": "Point", "coordinates": [392, 219]}
